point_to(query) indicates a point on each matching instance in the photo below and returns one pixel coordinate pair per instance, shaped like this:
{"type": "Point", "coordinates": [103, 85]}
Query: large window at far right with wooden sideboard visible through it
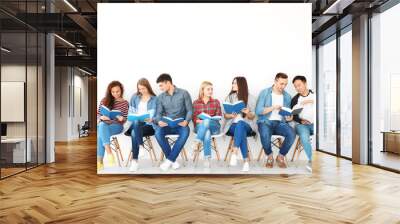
{"type": "Point", "coordinates": [385, 89]}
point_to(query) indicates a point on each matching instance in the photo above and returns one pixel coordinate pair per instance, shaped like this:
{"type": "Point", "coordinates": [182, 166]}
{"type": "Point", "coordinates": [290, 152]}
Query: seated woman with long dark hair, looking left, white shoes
{"type": "Point", "coordinates": [242, 124]}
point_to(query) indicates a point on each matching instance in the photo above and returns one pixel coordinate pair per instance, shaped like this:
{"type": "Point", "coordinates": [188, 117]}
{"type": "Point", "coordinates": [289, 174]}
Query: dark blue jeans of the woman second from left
{"type": "Point", "coordinates": [138, 130]}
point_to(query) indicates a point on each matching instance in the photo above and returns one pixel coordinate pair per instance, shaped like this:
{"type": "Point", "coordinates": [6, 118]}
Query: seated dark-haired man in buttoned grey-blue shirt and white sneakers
{"type": "Point", "coordinates": [174, 103]}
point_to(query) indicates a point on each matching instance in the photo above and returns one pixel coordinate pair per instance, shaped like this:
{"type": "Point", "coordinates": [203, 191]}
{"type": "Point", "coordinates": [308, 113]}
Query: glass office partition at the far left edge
{"type": "Point", "coordinates": [22, 65]}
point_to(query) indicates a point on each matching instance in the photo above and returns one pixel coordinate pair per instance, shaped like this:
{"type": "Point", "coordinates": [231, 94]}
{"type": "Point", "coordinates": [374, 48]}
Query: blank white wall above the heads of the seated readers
{"type": "Point", "coordinates": [197, 42]}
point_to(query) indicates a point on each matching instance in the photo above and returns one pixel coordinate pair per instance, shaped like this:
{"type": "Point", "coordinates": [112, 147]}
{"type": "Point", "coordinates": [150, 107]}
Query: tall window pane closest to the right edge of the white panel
{"type": "Point", "coordinates": [327, 96]}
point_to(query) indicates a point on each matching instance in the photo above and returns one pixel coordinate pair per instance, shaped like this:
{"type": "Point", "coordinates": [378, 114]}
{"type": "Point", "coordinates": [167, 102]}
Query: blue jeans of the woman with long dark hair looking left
{"type": "Point", "coordinates": [240, 131]}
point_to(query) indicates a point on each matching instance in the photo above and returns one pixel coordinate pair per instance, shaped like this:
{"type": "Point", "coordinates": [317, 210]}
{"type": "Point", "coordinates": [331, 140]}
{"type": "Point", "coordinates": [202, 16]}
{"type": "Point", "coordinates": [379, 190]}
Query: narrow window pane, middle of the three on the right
{"type": "Point", "coordinates": [346, 93]}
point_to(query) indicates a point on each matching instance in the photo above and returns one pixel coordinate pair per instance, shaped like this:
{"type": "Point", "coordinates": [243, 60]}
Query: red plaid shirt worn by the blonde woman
{"type": "Point", "coordinates": [212, 108]}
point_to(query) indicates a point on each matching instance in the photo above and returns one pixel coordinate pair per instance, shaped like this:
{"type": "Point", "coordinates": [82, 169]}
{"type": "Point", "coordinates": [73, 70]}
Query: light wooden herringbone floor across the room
{"type": "Point", "coordinates": [69, 191]}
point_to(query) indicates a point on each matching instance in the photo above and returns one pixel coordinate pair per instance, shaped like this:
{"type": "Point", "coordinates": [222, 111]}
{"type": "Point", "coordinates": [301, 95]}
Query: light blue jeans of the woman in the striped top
{"type": "Point", "coordinates": [104, 132]}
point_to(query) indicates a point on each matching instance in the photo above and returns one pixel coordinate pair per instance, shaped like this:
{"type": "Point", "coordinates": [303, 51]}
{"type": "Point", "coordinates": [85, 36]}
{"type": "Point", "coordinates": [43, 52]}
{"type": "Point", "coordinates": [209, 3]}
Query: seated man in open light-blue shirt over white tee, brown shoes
{"type": "Point", "coordinates": [270, 122]}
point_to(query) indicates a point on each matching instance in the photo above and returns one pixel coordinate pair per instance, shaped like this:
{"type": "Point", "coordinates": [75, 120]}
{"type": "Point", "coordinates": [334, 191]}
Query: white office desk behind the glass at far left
{"type": "Point", "coordinates": [16, 147]}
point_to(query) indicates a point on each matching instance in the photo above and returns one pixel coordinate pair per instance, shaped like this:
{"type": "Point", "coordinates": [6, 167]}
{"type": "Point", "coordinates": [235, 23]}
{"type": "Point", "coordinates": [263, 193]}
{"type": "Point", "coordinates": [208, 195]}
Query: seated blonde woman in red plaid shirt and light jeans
{"type": "Point", "coordinates": [206, 116]}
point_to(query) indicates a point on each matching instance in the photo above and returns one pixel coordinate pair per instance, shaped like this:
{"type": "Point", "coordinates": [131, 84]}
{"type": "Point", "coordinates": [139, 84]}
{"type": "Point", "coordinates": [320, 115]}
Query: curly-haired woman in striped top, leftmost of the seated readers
{"type": "Point", "coordinates": [106, 126]}
